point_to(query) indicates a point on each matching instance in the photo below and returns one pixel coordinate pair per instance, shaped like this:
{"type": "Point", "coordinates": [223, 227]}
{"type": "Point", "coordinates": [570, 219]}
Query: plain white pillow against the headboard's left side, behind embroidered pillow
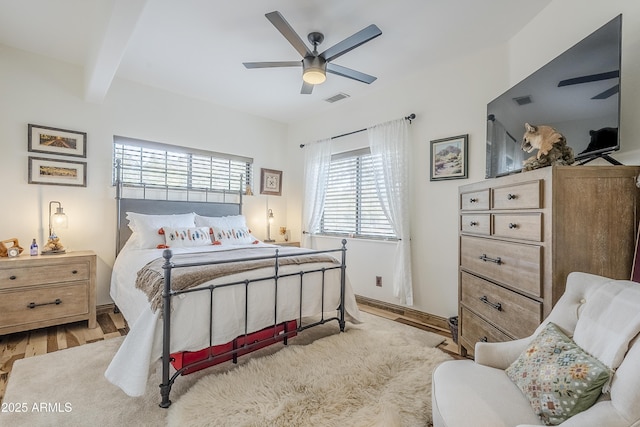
{"type": "Point", "coordinates": [145, 227]}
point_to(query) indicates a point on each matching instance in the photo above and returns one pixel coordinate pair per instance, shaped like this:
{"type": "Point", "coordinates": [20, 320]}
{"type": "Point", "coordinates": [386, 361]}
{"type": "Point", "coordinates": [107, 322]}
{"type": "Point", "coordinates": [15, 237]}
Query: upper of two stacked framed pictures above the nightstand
{"type": "Point", "coordinates": [43, 139]}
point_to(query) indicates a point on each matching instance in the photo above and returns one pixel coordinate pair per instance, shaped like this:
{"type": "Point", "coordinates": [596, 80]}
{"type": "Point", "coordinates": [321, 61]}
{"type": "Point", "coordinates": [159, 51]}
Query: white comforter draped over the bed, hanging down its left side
{"type": "Point", "coordinates": [142, 346]}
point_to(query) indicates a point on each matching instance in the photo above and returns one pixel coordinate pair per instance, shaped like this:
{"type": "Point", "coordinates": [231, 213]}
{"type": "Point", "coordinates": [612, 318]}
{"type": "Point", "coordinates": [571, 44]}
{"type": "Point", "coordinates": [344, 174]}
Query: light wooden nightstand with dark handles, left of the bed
{"type": "Point", "coordinates": [46, 290]}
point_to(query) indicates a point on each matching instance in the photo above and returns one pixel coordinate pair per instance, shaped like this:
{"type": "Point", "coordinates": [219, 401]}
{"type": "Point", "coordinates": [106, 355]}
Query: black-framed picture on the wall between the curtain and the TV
{"type": "Point", "coordinates": [449, 158]}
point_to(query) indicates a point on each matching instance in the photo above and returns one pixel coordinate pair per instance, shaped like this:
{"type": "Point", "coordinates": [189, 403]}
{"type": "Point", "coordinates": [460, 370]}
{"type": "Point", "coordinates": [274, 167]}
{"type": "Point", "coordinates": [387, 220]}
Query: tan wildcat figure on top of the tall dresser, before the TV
{"type": "Point", "coordinates": [551, 145]}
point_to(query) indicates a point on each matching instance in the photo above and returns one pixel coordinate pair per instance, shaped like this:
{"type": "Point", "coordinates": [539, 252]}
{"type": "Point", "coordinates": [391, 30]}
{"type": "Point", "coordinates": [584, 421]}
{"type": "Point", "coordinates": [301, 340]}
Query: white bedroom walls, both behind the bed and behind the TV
{"type": "Point", "coordinates": [448, 99]}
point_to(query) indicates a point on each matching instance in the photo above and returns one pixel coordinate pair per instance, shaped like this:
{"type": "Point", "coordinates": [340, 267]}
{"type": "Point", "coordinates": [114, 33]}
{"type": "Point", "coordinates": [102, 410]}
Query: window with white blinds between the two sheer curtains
{"type": "Point", "coordinates": [352, 206]}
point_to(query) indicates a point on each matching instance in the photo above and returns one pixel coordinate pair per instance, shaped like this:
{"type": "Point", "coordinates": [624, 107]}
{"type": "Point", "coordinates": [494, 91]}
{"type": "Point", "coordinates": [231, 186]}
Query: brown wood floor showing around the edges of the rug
{"type": "Point", "coordinates": [110, 325]}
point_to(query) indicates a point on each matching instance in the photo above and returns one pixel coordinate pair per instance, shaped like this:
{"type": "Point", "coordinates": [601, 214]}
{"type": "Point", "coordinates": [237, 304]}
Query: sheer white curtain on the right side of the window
{"type": "Point", "coordinates": [390, 149]}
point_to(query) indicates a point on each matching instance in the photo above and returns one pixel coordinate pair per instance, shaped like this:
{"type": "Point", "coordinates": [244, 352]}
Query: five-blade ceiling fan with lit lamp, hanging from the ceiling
{"type": "Point", "coordinates": [314, 65]}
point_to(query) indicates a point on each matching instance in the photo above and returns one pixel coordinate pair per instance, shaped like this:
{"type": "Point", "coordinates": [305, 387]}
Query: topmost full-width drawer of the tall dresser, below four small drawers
{"type": "Point", "coordinates": [515, 264]}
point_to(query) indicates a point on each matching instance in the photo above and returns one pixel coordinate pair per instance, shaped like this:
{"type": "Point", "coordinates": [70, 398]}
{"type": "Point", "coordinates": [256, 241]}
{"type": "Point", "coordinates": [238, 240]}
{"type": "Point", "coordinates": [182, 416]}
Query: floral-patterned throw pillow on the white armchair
{"type": "Point", "coordinates": [558, 377]}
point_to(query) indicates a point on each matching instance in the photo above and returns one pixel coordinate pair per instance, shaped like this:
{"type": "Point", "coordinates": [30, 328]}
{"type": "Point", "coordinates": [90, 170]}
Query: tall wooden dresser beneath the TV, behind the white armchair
{"type": "Point", "coordinates": [521, 235]}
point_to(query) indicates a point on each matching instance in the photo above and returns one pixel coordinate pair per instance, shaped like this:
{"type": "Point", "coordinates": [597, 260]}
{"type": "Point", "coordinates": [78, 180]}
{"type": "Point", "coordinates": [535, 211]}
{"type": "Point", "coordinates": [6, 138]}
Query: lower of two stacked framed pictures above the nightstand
{"type": "Point", "coordinates": [57, 172]}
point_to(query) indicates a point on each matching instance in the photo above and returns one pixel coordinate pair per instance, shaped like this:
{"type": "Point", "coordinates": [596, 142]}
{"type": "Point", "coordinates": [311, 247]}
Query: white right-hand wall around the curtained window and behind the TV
{"type": "Point", "coordinates": [450, 99]}
